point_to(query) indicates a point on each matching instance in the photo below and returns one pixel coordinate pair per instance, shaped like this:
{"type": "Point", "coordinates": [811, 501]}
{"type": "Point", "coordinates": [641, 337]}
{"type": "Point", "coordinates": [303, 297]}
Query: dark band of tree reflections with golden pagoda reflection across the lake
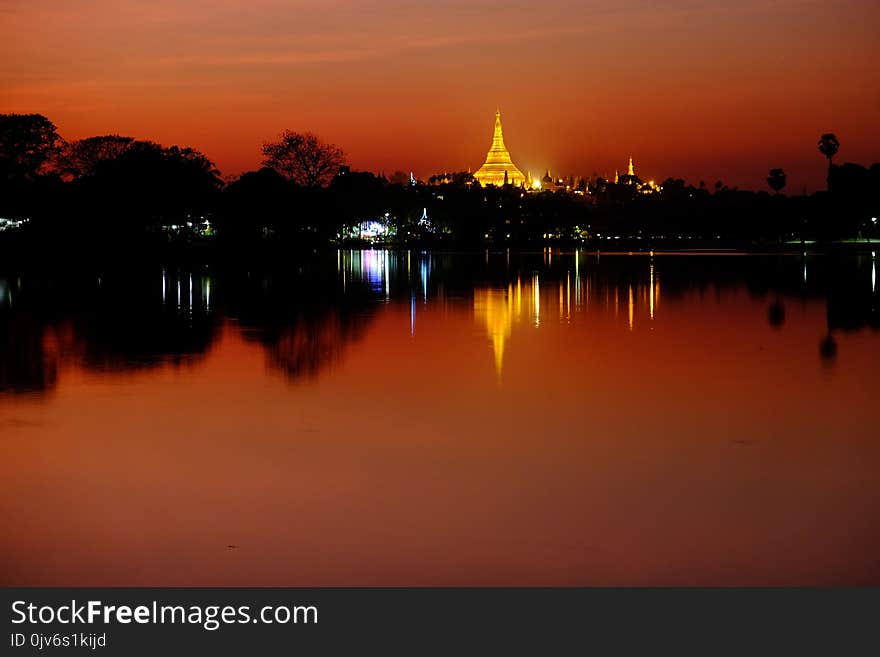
{"type": "Point", "coordinates": [304, 315]}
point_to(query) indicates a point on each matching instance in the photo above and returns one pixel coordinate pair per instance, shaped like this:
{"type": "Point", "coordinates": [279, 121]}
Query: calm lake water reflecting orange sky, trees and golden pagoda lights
{"type": "Point", "coordinates": [403, 418]}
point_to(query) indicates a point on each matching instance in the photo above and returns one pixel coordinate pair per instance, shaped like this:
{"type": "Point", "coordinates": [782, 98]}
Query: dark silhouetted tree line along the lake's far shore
{"type": "Point", "coordinates": [116, 188]}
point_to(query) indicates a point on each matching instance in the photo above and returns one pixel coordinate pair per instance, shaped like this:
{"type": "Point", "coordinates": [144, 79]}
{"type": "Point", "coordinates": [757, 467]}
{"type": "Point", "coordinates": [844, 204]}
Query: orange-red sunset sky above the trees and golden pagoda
{"type": "Point", "coordinates": [694, 89]}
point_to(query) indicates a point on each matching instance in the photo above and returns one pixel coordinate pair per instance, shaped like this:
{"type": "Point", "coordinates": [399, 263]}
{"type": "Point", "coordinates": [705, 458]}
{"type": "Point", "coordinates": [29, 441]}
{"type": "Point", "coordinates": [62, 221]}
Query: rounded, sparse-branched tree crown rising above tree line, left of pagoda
{"type": "Point", "coordinates": [304, 158]}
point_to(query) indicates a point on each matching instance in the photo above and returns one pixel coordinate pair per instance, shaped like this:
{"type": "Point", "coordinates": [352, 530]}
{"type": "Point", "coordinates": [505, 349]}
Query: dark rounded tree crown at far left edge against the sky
{"type": "Point", "coordinates": [28, 142]}
